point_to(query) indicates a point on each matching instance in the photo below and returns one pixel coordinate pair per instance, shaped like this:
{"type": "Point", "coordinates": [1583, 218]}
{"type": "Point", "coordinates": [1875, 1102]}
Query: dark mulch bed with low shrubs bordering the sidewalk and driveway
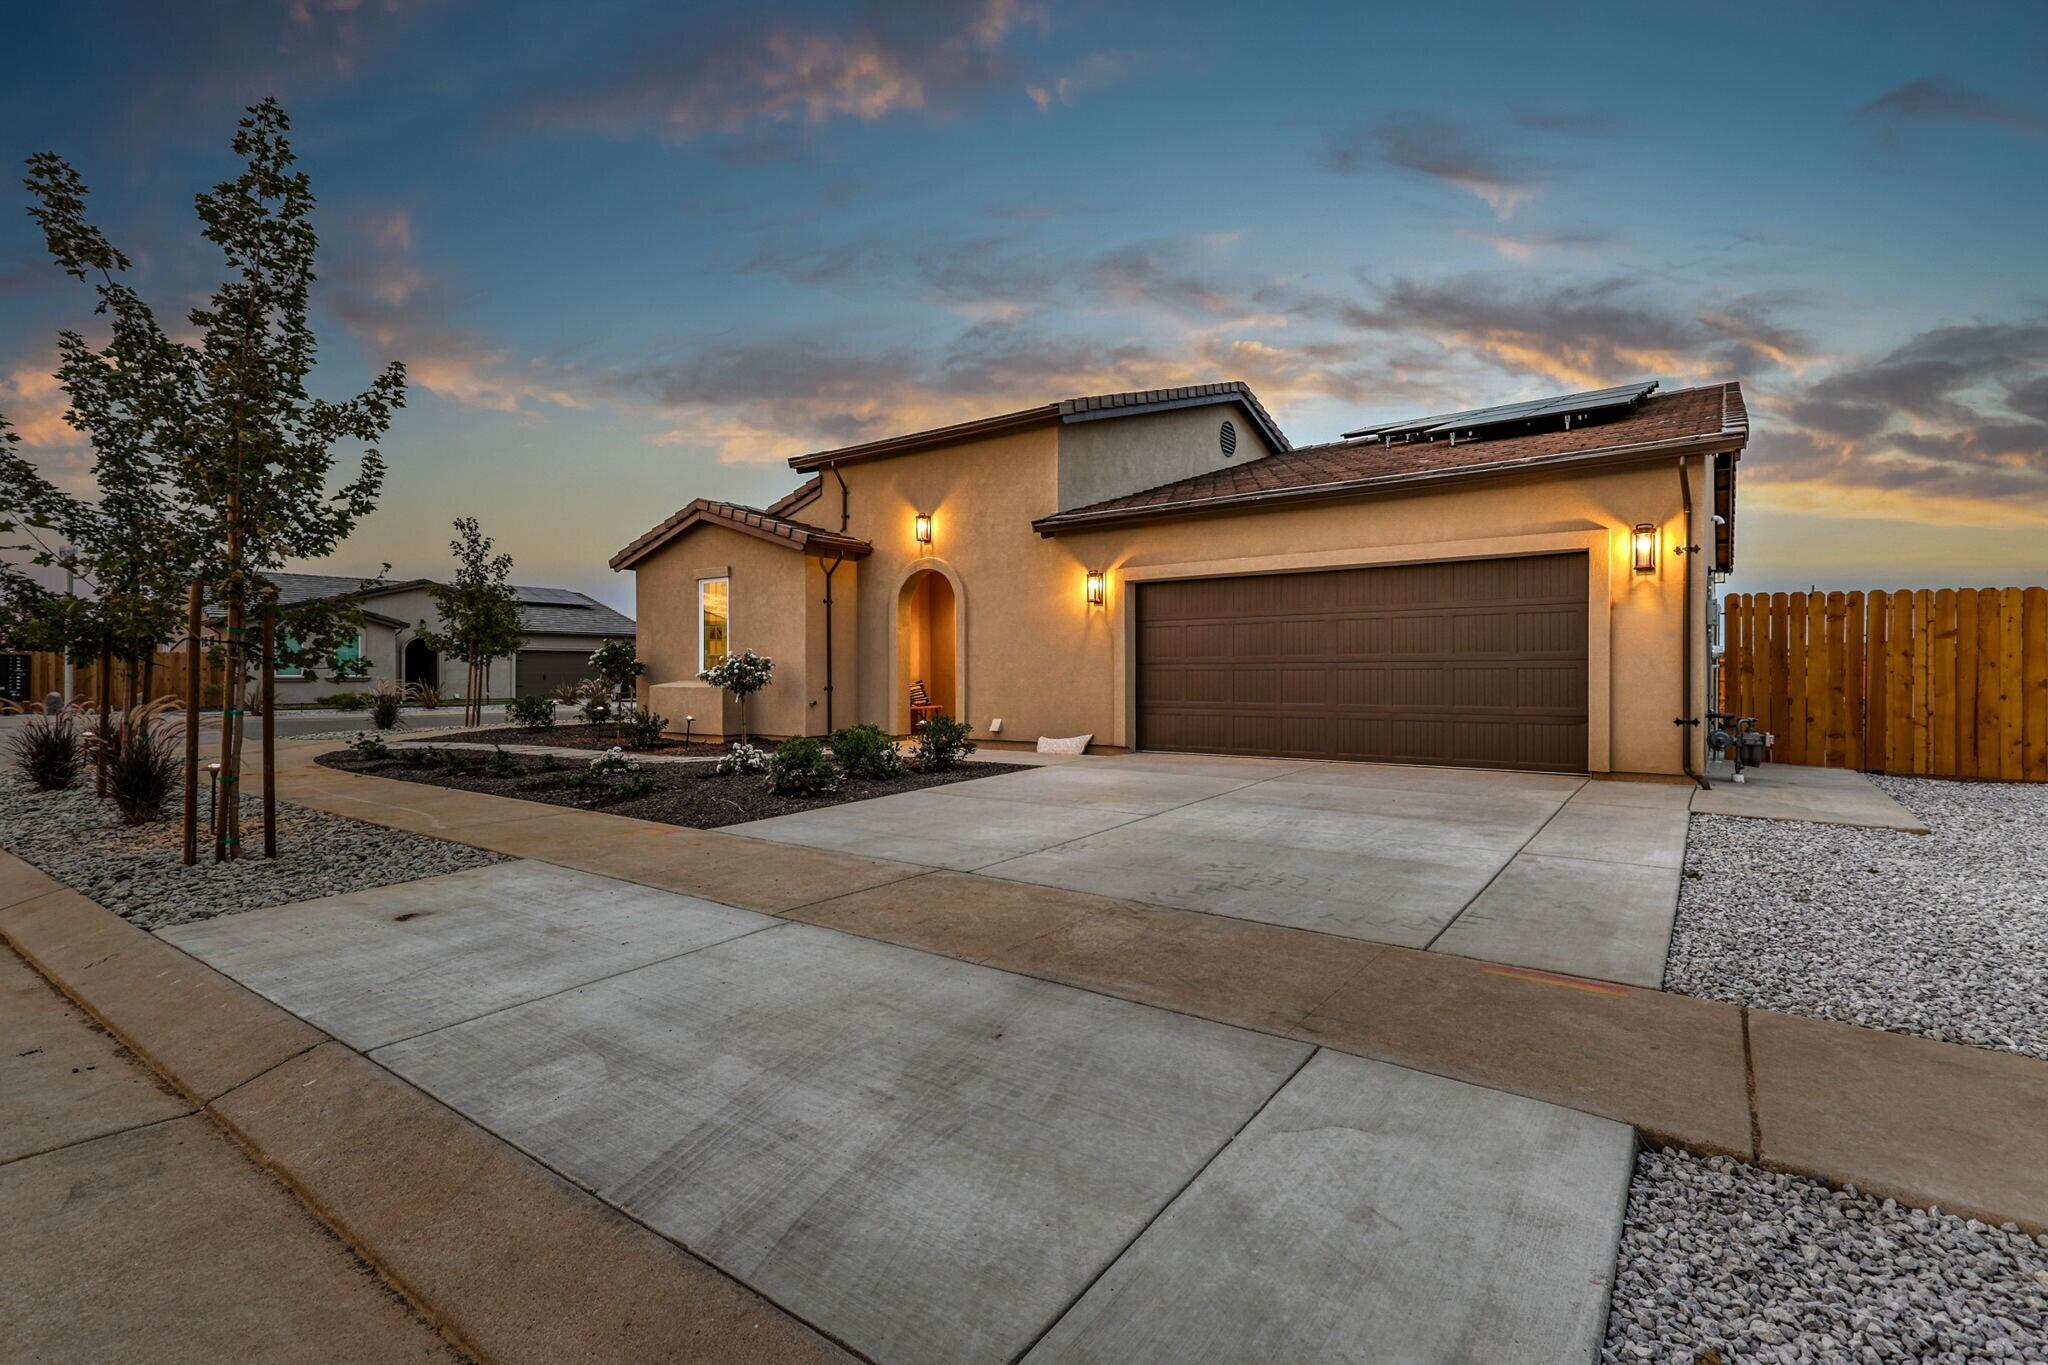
{"type": "Point", "coordinates": [685, 793]}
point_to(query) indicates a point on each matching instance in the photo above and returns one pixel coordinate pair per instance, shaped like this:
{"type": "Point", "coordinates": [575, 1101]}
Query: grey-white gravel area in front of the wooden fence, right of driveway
{"type": "Point", "coordinates": [1945, 934]}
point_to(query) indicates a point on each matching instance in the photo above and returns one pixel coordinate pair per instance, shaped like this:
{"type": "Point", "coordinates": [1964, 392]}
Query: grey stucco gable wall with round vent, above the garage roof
{"type": "Point", "coordinates": [1111, 457]}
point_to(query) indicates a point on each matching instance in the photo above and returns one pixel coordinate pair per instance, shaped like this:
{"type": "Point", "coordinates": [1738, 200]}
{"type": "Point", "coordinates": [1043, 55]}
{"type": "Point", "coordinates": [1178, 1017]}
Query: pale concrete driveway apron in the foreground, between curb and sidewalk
{"type": "Point", "coordinates": [939, 1161]}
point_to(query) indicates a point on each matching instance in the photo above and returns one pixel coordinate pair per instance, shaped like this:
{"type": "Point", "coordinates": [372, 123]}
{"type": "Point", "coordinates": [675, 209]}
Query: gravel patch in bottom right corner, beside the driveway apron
{"type": "Point", "coordinates": [1723, 1262]}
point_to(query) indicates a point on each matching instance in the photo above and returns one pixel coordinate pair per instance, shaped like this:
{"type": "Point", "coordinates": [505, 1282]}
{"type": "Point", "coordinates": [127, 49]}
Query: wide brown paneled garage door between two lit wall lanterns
{"type": "Point", "coordinates": [1465, 664]}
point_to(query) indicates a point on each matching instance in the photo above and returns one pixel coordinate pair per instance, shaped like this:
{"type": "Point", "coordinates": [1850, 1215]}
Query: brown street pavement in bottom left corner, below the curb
{"type": "Point", "coordinates": [140, 1231]}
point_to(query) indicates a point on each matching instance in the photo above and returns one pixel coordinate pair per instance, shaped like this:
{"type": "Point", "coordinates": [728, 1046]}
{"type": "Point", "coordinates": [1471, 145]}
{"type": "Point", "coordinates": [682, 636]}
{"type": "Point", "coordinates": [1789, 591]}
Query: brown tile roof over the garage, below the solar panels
{"type": "Point", "coordinates": [1707, 414]}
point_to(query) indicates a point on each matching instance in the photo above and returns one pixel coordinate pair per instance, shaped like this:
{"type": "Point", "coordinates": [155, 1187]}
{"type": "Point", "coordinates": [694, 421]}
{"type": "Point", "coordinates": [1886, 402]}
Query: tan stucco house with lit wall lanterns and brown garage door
{"type": "Point", "coordinates": [1506, 588]}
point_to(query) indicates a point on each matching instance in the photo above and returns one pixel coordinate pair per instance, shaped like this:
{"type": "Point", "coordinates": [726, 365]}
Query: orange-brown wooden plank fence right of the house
{"type": "Point", "coordinates": [1945, 682]}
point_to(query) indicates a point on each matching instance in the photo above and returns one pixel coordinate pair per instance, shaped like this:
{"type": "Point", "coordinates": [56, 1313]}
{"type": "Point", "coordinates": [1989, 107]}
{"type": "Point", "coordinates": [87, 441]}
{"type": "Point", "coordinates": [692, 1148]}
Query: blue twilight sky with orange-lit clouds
{"type": "Point", "coordinates": [644, 253]}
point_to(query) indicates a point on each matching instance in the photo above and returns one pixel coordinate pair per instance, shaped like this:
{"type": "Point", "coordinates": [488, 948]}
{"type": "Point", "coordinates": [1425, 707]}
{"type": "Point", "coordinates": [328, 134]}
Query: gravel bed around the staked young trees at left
{"type": "Point", "coordinates": [138, 871]}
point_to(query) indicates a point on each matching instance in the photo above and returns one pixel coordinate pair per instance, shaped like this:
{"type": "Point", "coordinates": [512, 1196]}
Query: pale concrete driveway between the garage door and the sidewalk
{"type": "Point", "coordinates": [1533, 871]}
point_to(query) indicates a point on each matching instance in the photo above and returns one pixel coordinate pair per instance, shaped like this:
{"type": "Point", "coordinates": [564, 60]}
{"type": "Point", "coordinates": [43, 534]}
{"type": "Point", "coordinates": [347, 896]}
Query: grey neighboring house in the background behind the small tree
{"type": "Point", "coordinates": [562, 629]}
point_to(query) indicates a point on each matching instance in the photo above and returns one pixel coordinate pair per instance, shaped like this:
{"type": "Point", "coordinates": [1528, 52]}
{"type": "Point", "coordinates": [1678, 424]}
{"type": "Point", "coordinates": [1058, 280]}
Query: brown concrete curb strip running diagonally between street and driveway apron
{"type": "Point", "coordinates": [503, 1256]}
